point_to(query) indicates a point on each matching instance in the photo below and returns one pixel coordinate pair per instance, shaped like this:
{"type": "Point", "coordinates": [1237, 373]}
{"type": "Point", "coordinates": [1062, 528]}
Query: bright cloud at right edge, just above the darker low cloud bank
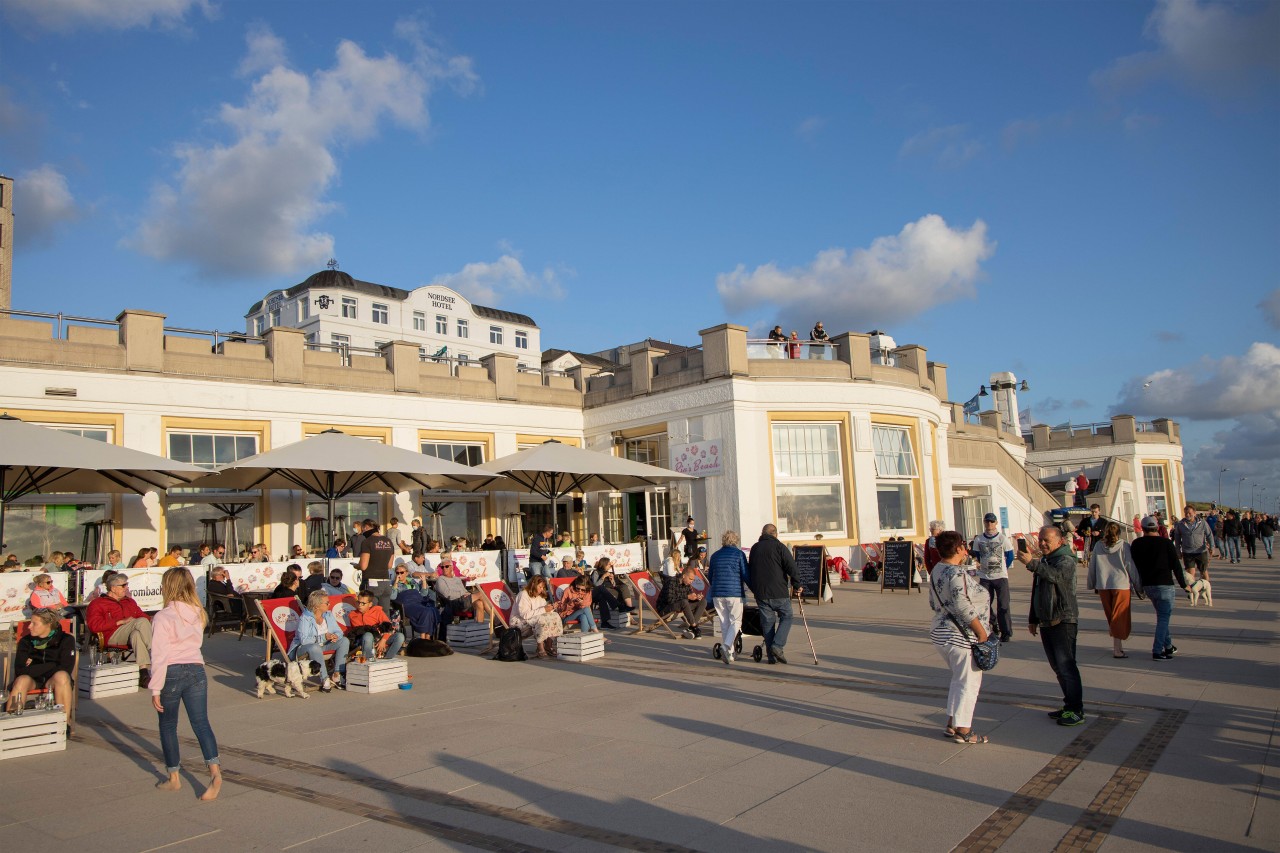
{"type": "Point", "coordinates": [1210, 389]}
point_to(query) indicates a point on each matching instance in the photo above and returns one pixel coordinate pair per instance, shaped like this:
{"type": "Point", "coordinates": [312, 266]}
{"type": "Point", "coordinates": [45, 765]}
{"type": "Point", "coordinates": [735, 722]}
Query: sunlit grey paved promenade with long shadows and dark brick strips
{"type": "Point", "coordinates": [659, 747]}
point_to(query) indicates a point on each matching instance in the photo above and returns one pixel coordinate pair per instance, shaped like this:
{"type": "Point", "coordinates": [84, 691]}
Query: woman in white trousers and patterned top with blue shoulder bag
{"type": "Point", "coordinates": [954, 594]}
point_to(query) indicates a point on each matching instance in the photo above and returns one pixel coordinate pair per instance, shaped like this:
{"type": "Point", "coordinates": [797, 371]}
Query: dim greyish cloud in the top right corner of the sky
{"type": "Point", "coordinates": [1214, 47]}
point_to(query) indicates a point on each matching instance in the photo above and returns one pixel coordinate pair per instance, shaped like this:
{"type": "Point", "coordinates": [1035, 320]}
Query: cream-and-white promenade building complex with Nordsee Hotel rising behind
{"type": "Point", "coordinates": [847, 448]}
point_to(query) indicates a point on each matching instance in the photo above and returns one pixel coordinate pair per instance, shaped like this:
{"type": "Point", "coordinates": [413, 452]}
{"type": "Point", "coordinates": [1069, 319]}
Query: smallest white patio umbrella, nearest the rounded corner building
{"type": "Point", "coordinates": [554, 471]}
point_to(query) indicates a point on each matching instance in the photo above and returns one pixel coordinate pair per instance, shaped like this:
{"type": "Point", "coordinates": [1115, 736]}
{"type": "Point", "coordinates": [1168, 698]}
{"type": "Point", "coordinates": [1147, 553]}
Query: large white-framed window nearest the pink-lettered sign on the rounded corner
{"type": "Point", "coordinates": [810, 487]}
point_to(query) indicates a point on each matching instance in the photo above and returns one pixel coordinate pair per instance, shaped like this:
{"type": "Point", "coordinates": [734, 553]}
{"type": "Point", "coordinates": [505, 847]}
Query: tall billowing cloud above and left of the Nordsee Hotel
{"type": "Point", "coordinates": [250, 206]}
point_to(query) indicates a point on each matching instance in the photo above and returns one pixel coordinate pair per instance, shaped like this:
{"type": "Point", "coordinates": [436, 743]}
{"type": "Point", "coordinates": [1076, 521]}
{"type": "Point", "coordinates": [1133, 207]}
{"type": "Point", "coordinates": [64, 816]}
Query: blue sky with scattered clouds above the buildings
{"type": "Point", "coordinates": [1084, 194]}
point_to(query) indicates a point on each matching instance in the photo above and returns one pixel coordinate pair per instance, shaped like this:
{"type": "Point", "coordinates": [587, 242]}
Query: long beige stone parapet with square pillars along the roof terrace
{"type": "Point", "coordinates": [139, 341]}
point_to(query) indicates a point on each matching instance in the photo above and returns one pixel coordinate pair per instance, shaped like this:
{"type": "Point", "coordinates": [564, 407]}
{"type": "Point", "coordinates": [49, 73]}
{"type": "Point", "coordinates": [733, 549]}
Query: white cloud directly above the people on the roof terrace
{"type": "Point", "coordinates": [894, 279]}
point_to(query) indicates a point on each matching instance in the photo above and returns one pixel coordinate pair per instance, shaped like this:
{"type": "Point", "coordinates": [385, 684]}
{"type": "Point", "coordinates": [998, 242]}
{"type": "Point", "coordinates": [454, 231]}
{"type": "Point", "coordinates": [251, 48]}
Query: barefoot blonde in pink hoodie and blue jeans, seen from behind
{"type": "Point", "coordinates": [179, 677]}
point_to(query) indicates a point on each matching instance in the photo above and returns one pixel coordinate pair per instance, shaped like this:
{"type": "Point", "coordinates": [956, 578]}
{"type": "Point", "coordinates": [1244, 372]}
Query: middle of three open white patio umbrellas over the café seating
{"type": "Point", "coordinates": [333, 466]}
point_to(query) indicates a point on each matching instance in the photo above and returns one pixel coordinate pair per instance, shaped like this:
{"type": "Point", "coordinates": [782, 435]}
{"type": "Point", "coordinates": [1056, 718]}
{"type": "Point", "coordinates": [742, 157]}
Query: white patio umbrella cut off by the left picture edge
{"type": "Point", "coordinates": [38, 459]}
